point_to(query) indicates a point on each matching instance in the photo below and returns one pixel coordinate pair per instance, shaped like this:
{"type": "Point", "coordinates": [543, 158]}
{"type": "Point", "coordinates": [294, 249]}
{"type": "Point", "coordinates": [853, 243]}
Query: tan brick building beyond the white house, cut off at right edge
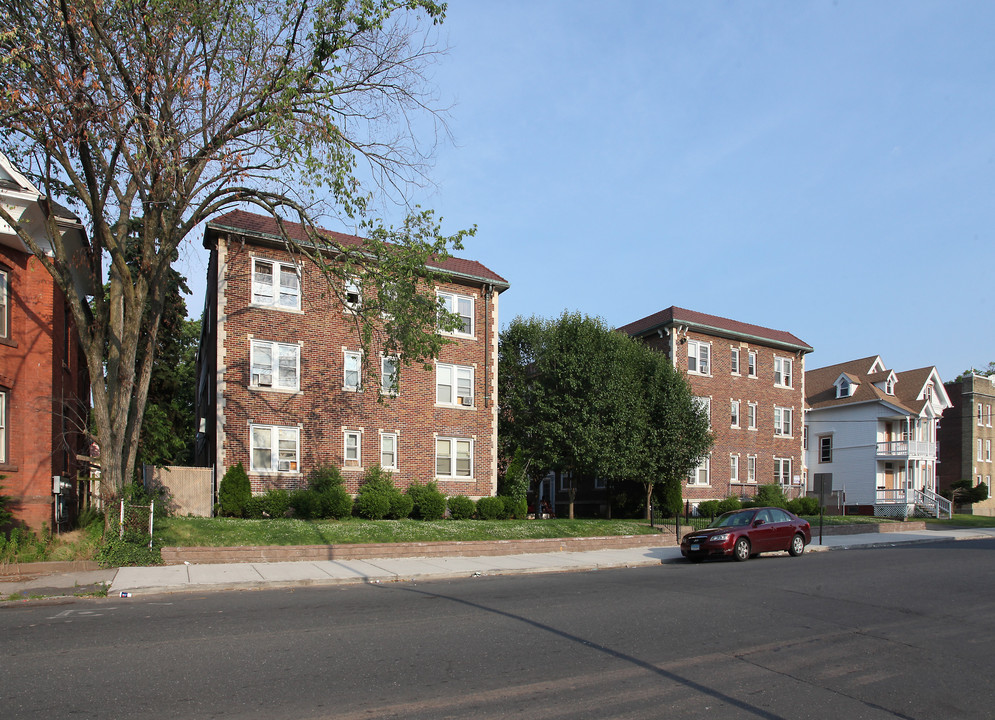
{"type": "Point", "coordinates": [966, 433]}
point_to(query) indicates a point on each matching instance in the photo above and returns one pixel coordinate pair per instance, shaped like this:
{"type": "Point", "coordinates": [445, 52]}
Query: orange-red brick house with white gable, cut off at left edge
{"type": "Point", "coordinates": [44, 386]}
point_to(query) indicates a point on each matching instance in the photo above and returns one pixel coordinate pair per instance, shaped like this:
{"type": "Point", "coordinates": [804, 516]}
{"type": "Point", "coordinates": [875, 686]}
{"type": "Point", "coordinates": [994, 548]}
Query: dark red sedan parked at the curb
{"type": "Point", "coordinates": [747, 533]}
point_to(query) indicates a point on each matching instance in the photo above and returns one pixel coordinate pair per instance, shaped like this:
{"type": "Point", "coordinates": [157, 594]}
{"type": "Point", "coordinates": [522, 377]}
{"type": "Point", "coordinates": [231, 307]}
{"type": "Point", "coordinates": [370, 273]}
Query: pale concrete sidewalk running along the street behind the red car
{"type": "Point", "coordinates": [139, 581]}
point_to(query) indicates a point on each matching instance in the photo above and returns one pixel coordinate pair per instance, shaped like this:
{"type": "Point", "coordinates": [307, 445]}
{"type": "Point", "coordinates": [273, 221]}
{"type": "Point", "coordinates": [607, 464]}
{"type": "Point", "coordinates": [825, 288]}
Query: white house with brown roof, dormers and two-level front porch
{"type": "Point", "coordinates": [870, 436]}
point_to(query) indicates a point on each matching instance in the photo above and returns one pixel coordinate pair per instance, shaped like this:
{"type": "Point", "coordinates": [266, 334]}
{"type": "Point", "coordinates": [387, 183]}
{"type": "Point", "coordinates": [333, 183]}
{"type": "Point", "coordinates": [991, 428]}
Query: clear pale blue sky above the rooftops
{"type": "Point", "coordinates": [825, 168]}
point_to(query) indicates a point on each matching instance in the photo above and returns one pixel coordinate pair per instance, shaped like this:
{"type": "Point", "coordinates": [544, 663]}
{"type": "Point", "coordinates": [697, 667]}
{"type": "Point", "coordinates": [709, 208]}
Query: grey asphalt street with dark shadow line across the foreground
{"type": "Point", "coordinates": [900, 632]}
